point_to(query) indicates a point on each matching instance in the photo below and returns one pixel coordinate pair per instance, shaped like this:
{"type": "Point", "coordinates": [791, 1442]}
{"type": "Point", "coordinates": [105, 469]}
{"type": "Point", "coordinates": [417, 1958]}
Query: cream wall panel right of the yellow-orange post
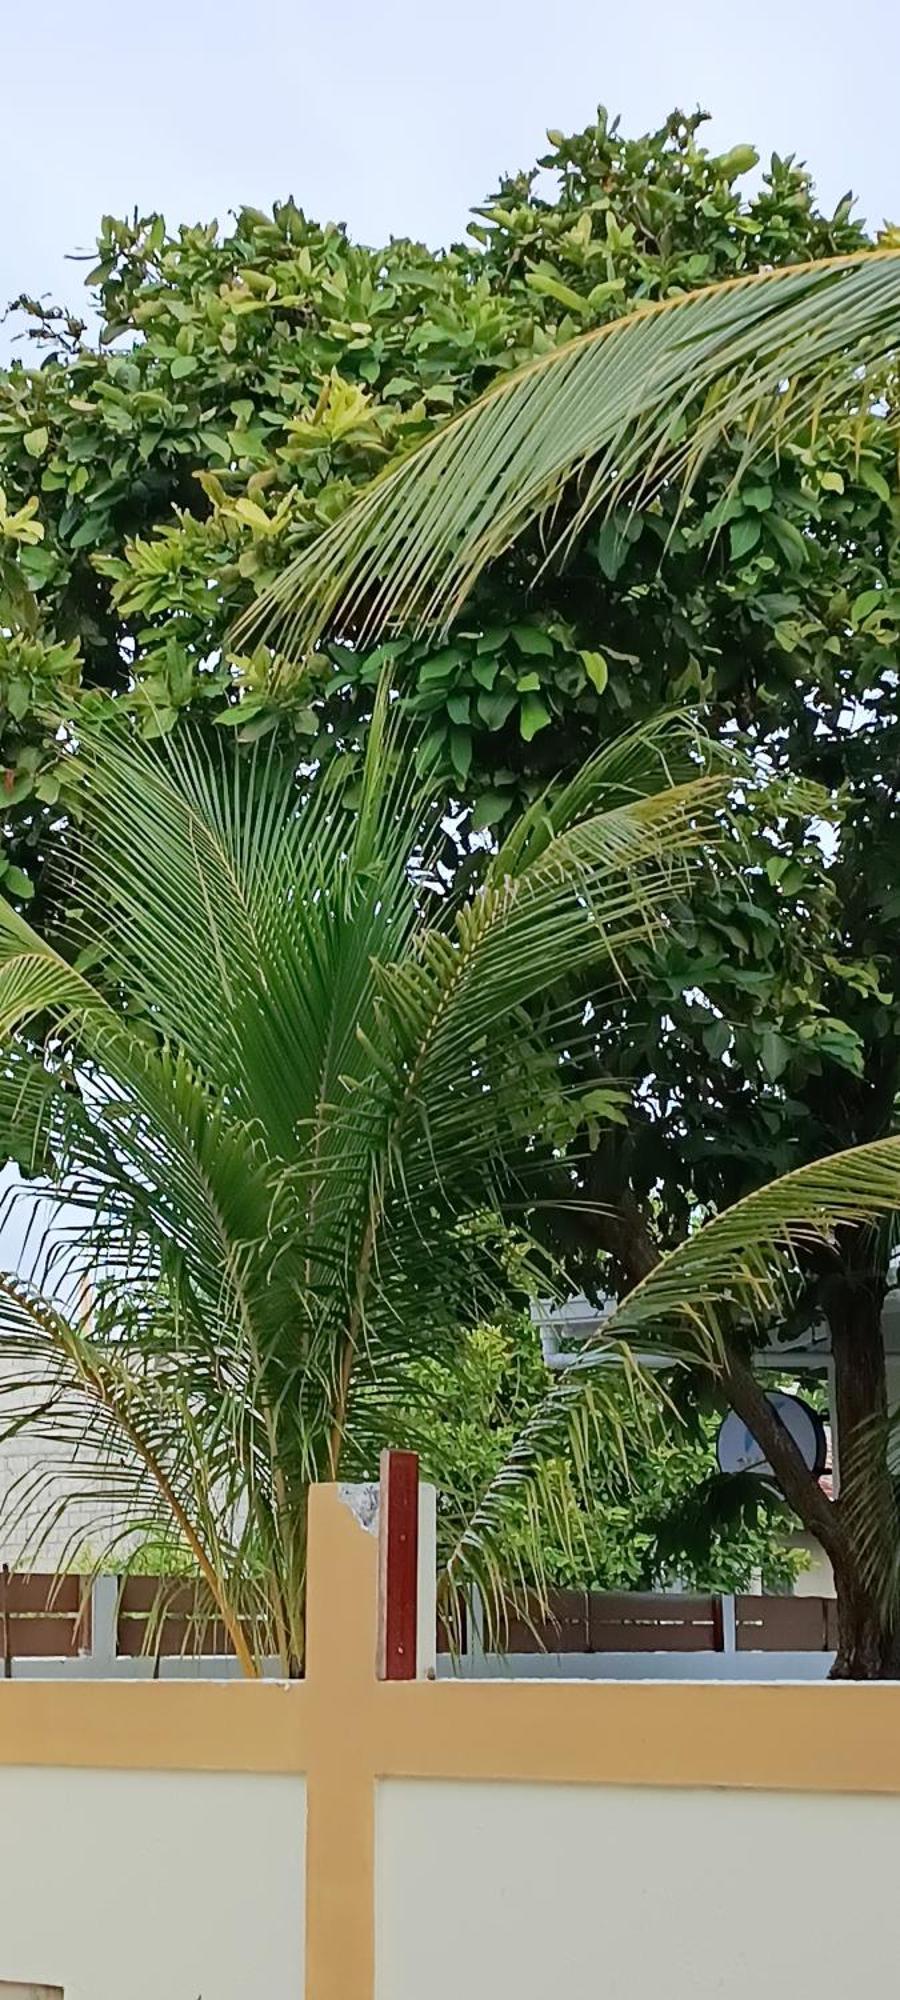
{"type": "Point", "coordinates": [635, 1895]}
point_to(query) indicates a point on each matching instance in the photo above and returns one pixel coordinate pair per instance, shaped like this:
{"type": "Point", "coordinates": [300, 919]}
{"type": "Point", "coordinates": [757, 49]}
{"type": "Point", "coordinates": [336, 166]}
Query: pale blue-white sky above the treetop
{"type": "Point", "coordinates": [399, 117]}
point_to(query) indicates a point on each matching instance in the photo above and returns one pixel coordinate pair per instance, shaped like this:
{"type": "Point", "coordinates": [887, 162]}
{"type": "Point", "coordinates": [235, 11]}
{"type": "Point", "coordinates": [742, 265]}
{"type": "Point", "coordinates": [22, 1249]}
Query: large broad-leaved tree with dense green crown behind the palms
{"type": "Point", "coordinates": [249, 383]}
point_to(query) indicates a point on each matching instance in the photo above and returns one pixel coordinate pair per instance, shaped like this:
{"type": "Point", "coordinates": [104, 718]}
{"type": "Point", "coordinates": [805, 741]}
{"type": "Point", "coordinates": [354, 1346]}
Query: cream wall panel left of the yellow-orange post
{"type": "Point", "coordinates": [153, 1885]}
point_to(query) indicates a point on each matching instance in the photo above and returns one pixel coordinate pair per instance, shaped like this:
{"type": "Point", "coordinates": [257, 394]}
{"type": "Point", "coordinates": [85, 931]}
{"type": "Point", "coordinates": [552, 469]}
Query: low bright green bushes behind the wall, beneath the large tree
{"type": "Point", "coordinates": [641, 1519]}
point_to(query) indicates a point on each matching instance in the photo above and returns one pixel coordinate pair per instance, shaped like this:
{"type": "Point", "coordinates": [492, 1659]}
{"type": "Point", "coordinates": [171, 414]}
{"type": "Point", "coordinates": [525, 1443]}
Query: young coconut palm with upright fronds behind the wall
{"type": "Point", "coordinates": [271, 1083]}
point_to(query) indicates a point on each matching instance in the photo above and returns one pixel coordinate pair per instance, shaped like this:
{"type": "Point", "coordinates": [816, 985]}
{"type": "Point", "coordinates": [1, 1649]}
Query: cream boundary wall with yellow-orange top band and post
{"type": "Point", "coordinates": [349, 1839]}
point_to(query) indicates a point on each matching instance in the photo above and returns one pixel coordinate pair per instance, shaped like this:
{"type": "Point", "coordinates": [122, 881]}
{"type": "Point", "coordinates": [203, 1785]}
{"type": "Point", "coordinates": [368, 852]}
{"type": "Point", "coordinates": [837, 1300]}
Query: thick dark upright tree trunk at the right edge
{"type": "Point", "coordinates": [869, 1635]}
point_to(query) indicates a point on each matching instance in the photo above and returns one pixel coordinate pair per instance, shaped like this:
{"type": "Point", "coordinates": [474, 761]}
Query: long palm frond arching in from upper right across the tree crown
{"type": "Point", "coordinates": [609, 417]}
